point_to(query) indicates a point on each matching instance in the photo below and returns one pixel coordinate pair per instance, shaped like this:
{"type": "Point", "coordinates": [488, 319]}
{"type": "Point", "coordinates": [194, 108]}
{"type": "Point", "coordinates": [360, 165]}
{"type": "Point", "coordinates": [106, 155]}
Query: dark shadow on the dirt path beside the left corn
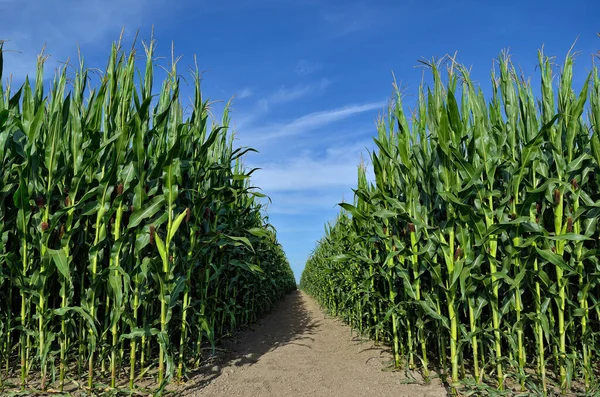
{"type": "Point", "coordinates": [289, 323]}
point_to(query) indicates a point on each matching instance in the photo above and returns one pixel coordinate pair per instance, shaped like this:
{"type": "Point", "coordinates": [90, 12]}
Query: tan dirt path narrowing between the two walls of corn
{"type": "Point", "coordinates": [297, 351]}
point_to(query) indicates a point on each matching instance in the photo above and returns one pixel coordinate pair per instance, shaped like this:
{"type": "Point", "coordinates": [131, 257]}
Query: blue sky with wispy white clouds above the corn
{"type": "Point", "coordinates": [310, 77]}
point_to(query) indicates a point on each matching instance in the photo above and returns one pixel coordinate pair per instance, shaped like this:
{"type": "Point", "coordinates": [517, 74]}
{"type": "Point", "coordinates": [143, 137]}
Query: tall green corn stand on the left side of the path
{"type": "Point", "coordinates": [131, 238]}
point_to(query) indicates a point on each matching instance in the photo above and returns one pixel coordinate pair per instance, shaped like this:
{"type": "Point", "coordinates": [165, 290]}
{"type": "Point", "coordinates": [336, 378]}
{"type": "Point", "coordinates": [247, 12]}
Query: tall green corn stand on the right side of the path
{"type": "Point", "coordinates": [473, 252]}
